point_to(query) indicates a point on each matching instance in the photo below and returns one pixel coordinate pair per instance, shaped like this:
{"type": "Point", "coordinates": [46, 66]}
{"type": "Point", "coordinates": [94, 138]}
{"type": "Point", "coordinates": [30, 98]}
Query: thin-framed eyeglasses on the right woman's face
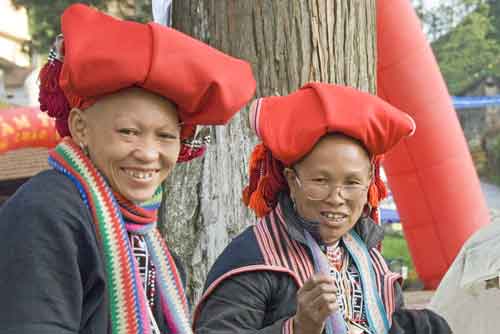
{"type": "Point", "coordinates": [319, 191]}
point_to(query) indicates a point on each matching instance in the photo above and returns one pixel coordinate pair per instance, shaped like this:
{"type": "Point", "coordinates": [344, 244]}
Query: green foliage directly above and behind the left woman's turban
{"type": "Point", "coordinates": [44, 16]}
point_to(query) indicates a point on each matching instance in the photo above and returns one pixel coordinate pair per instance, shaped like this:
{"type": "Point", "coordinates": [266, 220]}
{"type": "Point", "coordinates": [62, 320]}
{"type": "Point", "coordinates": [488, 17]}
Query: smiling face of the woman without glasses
{"type": "Point", "coordinates": [133, 138]}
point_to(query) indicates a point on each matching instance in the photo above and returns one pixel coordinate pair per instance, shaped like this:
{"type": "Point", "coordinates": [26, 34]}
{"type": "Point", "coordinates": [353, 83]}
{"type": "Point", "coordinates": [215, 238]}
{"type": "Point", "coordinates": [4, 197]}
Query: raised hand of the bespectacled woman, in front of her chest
{"type": "Point", "coordinates": [316, 300]}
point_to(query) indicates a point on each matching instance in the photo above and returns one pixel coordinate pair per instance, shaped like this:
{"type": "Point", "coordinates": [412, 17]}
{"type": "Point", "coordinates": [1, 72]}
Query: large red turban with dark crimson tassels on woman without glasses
{"type": "Point", "coordinates": [103, 54]}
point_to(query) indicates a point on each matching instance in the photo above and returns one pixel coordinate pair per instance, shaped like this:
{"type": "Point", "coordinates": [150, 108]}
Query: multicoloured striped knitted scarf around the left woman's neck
{"type": "Point", "coordinates": [113, 217]}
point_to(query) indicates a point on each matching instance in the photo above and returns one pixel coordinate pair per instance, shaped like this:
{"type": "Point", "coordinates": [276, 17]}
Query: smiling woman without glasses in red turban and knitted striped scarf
{"type": "Point", "coordinates": [81, 252]}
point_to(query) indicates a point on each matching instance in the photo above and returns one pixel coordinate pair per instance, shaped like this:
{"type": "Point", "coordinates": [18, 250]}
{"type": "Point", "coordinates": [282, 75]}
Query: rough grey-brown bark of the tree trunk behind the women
{"type": "Point", "coordinates": [288, 43]}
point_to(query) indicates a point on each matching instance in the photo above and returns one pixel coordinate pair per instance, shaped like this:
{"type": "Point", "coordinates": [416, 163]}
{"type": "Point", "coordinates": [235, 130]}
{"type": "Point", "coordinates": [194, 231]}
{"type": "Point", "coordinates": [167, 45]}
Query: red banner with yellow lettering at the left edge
{"type": "Point", "coordinates": [26, 127]}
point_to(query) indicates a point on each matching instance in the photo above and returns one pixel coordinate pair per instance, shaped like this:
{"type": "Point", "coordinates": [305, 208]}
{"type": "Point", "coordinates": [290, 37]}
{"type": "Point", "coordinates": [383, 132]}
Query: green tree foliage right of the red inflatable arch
{"type": "Point", "coordinates": [471, 49]}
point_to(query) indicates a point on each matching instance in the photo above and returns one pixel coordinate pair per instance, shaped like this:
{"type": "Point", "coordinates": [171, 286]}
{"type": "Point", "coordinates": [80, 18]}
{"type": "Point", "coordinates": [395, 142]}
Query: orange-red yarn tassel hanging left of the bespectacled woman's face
{"type": "Point", "coordinates": [266, 181]}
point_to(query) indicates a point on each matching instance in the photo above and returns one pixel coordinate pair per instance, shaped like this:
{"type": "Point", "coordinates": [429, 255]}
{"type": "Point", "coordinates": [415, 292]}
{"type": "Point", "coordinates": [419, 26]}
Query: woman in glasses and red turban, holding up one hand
{"type": "Point", "coordinates": [312, 262]}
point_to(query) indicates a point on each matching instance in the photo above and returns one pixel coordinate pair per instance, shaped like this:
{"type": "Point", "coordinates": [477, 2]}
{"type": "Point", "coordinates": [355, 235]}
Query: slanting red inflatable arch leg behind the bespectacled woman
{"type": "Point", "coordinates": [431, 174]}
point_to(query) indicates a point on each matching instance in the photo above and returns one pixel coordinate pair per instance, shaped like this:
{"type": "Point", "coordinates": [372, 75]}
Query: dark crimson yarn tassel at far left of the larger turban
{"type": "Point", "coordinates": [52, 99]}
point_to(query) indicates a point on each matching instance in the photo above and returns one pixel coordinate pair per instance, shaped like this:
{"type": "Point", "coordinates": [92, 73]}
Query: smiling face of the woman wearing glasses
{"type": "Point", "coordinates": [335, 160]}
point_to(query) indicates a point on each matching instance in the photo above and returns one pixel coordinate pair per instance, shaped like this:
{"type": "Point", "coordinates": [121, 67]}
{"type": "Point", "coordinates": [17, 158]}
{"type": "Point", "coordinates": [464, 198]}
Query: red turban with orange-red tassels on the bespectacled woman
{"type": "Point", "coordinates": [289, 127]}
